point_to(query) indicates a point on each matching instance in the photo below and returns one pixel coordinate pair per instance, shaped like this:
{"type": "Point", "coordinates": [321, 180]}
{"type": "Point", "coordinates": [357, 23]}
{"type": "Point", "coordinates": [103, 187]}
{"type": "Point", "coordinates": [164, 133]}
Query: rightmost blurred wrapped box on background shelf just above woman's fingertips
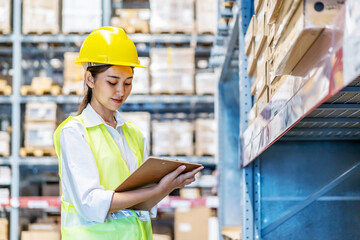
{"type": "Point", "coordinates": [205, 137]}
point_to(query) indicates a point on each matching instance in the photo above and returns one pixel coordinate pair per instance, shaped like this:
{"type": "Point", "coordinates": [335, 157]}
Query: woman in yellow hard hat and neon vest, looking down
{"type": "Point", "coordinates": [98, 150]}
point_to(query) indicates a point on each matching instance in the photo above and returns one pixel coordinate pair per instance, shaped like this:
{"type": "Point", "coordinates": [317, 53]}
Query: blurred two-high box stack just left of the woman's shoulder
{"type": "Point", "coordinates": [40, 124]}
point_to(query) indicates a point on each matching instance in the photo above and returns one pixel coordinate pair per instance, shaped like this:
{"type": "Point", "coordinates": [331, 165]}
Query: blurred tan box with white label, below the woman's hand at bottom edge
{"type": "Point", "coordinates": [192, 223]}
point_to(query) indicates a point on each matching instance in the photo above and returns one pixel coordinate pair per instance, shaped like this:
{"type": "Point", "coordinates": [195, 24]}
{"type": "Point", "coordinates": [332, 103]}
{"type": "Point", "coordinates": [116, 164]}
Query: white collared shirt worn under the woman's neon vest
{"type": "Point", "coordinates": [79, 174]}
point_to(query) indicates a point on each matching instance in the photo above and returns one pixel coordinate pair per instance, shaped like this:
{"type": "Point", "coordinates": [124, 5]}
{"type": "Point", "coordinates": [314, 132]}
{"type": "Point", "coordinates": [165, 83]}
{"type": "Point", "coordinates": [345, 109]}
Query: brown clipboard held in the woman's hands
{"type": "Point", "coordinates": [150, 173]}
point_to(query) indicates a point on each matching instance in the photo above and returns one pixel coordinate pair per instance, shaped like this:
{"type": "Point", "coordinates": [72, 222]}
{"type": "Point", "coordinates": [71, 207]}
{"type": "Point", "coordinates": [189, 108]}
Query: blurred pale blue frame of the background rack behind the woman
{"type": "Point", "coordinates": [154, 103]}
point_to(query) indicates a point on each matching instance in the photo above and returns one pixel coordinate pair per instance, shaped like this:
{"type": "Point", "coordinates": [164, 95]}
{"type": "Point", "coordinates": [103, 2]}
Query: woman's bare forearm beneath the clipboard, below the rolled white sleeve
{"type": "Point", "coordinates": [123, 200]}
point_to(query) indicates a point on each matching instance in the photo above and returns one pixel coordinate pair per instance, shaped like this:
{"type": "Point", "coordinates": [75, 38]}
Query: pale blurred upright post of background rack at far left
{"type": "Point", "coordinates": [15, 121]}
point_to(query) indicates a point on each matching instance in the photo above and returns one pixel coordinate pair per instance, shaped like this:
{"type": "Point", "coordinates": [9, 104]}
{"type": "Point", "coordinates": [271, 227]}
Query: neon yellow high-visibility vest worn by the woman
{"type": "Point", "coordinates": [125, 224]}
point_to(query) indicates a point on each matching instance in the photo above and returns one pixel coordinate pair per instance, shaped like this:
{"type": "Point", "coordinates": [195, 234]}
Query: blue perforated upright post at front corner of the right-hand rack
{"type": "Point", "coordinates": [250, 176]}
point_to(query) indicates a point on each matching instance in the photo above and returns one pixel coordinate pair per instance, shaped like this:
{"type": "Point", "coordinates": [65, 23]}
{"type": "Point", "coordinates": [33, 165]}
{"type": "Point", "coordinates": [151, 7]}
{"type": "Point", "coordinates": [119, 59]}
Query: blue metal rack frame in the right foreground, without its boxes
{"type": "Point", "coordinates": [302, 186]}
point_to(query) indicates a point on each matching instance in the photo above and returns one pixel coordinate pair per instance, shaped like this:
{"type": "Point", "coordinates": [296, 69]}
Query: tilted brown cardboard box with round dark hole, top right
{"type": "Point", "coordinates": [303, 29]}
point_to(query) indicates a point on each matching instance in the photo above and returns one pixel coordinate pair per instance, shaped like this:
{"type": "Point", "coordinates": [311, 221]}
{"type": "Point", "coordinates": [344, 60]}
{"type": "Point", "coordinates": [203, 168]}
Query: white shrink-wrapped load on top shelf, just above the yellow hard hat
{"type": "Point", "coordinates": [81, 16]}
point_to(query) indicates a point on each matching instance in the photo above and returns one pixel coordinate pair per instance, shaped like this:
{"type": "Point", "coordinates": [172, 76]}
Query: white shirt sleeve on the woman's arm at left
{"type": "Point", "coordinates": [80, 176]}
